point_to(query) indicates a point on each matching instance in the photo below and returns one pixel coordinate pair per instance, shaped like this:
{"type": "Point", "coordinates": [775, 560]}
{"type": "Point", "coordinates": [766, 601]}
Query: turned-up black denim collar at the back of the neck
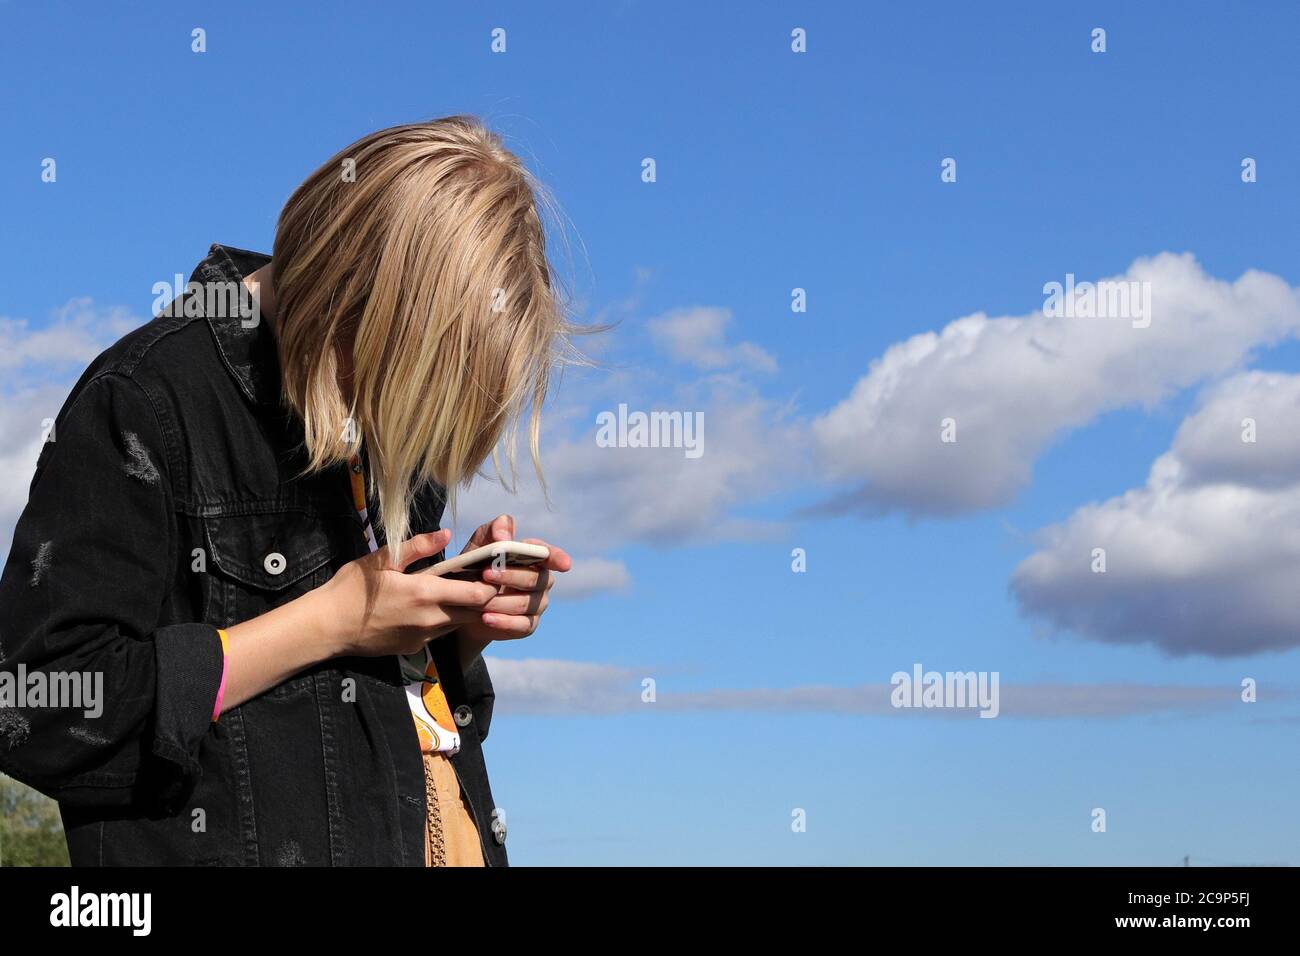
{"type": "Point", "coordinates": [248, 348]}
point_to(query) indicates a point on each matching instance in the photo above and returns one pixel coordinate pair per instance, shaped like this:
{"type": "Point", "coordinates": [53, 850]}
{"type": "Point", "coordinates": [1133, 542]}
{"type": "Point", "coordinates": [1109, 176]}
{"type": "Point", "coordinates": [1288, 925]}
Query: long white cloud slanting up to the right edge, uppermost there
{"type": "Point", "coordinates": [1015, 384]}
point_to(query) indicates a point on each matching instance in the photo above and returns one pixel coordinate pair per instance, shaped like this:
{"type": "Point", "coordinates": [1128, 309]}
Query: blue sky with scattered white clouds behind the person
{"type": "Point", "coordinates": [779, 171]}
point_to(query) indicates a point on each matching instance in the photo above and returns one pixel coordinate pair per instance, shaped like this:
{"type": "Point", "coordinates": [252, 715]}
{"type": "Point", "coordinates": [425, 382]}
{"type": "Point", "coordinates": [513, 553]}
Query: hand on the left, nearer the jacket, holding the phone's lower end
{"type": "Point", "coordinates": [371, 608]}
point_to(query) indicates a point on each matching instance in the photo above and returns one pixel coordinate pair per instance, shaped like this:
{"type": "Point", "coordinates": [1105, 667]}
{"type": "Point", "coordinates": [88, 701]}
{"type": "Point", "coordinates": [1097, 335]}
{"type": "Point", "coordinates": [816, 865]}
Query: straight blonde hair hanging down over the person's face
{"type": "Point", "coordinates": [427, 272]}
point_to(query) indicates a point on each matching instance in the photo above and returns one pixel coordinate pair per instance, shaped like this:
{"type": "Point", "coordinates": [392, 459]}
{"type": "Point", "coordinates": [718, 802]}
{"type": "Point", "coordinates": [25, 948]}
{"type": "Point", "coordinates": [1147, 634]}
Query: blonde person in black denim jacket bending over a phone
{"type": "Point", "coordinates": [228, 529]}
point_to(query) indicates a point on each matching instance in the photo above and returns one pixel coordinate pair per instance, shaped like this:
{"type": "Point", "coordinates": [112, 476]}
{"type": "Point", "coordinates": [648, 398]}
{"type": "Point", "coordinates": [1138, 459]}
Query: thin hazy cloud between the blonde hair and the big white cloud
{"type": "Point", "coordinates": [601, 499]}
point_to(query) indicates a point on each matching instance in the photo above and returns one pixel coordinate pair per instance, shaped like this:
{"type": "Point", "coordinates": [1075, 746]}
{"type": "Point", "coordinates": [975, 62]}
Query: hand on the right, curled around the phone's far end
{"type": "Point", "coordinates": [525, 595]}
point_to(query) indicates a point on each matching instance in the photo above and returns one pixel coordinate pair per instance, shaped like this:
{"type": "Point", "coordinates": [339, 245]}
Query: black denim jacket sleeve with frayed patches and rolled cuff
{"type": "Point", "coordinates": [90, 569]}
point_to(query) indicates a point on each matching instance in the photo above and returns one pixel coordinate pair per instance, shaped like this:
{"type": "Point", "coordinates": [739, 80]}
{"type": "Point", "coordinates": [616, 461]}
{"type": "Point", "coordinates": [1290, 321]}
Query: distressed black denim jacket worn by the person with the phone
{"type": "Point", "coordinates": [171, 482]}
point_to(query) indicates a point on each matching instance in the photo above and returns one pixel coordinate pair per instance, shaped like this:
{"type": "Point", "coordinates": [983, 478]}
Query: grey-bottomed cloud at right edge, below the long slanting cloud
{"type": "Point", "coordinates": [1206, 557]}
